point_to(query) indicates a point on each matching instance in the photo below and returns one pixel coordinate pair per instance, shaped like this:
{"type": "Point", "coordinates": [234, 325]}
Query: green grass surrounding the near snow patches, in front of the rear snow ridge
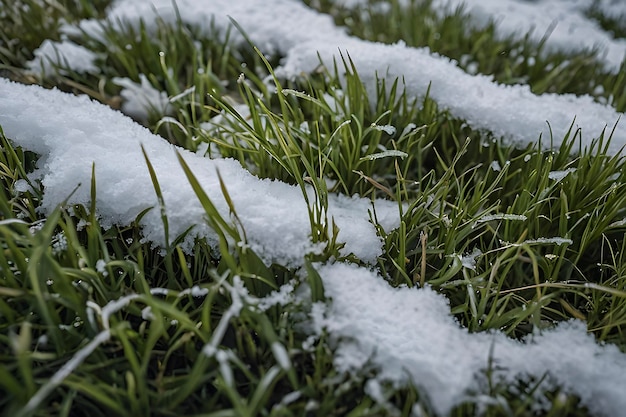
{"type": "Point", "coordinates": [460, 191]}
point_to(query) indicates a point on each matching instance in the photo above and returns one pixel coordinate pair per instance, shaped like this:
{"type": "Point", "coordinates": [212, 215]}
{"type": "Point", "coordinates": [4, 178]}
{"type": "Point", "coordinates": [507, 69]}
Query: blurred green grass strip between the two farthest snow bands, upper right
{"type": "Point", "coordinates": [510, 60]}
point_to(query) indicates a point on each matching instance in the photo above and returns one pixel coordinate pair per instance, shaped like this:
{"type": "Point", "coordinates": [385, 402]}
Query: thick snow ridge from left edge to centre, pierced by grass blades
{"type": "Point", "coordinates": [72, 133]}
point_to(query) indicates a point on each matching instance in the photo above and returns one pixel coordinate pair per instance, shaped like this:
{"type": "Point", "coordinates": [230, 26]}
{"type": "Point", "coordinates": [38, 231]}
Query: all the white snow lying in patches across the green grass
{"type": "Point", "coordinates": [405, 335]}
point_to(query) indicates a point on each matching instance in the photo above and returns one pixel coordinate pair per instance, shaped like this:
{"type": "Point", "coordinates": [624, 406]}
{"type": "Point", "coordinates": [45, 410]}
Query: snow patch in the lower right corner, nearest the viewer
{"type": "Point", "coordinates": [408, 335]}
